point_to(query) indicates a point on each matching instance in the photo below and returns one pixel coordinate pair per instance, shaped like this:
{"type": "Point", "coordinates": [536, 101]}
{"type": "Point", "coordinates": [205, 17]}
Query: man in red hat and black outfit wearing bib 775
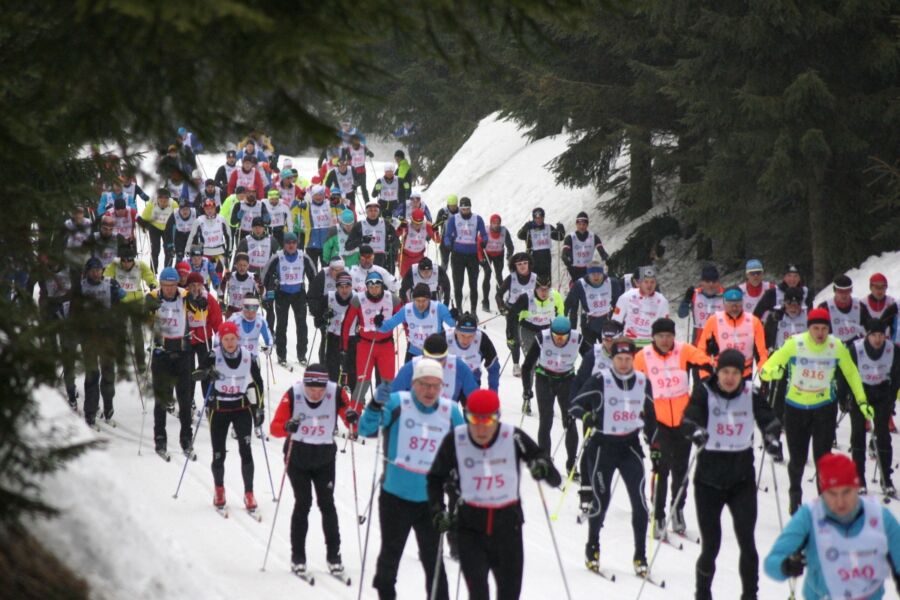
{"type": "Point", "coordinates": [482, 458]}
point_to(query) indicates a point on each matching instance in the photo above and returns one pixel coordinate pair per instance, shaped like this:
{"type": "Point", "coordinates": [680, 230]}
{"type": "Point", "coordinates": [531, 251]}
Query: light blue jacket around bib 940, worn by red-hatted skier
{"type": "Point", "coordinates": [799, 534]}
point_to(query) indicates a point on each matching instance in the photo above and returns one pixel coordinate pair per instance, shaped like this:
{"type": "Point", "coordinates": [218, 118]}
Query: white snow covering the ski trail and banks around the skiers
{"type": "Point", "coordinates": [122, 530]}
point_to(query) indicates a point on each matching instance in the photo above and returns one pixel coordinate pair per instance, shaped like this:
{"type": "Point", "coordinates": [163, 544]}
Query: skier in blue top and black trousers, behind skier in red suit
{"type": "Point", "coordinates": [283, 278]}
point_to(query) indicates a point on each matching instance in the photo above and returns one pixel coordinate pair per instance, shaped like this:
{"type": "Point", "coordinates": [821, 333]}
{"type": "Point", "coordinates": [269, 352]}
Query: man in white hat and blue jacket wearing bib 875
{"type": "Point", "coordinates": [414, 424]}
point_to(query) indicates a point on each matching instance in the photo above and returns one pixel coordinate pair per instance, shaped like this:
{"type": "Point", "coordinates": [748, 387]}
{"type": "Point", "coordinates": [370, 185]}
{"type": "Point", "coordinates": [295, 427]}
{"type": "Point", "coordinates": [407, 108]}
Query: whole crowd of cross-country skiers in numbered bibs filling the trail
{"type": "Point", "coordinates": [207, 272]}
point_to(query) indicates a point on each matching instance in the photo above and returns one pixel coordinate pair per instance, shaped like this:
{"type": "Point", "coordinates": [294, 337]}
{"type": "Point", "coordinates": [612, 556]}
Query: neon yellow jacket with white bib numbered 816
{"type": "Point", "coordinates": [810, 370]}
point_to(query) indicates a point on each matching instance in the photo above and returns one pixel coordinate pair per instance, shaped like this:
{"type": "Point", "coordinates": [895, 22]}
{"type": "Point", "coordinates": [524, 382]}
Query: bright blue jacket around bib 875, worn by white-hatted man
{"type": "Point", "coordinates": [398, 481]}
